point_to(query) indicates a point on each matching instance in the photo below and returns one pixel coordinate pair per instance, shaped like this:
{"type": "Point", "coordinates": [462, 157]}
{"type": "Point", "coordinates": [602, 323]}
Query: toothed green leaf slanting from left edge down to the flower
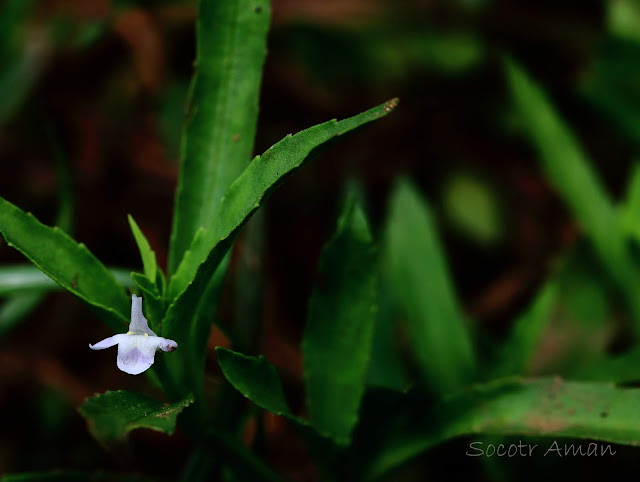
{"type": "Point", "coordinates": [68, 263]}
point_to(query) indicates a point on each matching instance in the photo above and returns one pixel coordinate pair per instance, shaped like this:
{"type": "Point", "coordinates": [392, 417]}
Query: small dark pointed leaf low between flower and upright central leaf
{"type": "Point", "coordinates": [256, 379]}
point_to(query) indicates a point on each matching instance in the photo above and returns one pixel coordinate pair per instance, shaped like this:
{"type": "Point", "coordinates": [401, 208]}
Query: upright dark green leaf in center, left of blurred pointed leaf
{"type": "Point", "coordinates": [337, 339]}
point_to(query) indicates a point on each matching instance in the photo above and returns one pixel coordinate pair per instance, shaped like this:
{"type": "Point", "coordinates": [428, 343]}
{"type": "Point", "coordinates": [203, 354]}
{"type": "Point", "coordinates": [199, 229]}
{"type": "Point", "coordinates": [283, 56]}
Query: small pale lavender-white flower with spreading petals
{"type": "Point", "coordinates": [136, 348]}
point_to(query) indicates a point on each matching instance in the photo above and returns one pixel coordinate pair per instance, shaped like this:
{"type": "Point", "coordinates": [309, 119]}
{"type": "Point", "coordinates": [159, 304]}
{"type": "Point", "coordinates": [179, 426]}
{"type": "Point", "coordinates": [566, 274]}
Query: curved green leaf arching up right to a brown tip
{"type": "Point", "coordinates": [258, 180]}
